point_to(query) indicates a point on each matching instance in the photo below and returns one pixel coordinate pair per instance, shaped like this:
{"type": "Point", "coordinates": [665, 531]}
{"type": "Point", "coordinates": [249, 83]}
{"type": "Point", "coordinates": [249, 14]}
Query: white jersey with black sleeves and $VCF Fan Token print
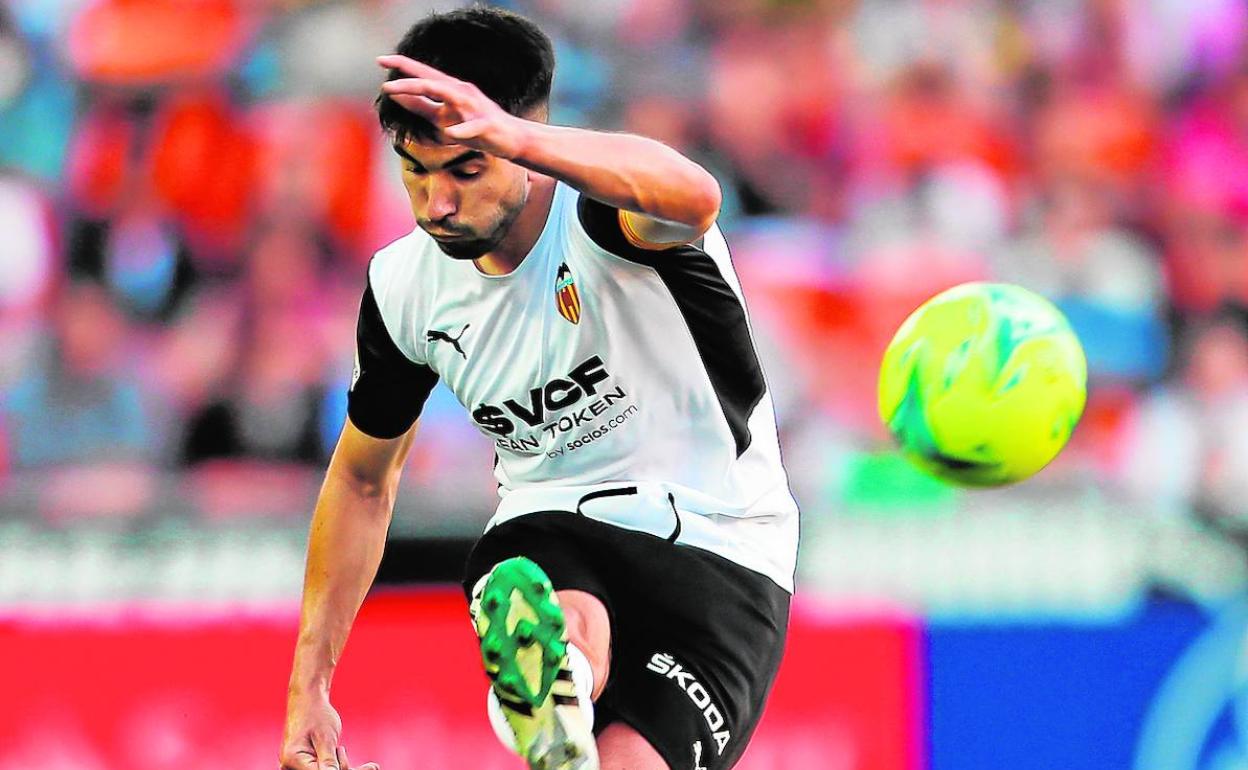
{"type": "Point", "coordinates": [616, 383]}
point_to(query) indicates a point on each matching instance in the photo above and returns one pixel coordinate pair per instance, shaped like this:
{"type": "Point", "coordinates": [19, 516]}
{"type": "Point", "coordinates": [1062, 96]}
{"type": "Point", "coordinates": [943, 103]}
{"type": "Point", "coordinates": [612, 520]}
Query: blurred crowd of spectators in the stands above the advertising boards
{"type": "Point", "coordinates": [190, 192]}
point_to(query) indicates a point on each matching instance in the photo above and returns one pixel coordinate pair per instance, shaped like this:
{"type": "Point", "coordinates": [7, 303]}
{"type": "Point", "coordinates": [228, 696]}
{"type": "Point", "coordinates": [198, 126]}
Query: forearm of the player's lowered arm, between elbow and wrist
{"type": "Point", "coordinates": [345, 547]}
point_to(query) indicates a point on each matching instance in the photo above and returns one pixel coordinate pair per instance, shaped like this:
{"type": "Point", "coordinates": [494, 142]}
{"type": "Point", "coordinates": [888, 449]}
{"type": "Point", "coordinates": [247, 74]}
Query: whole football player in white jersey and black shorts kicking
{"type": "Point", "coordinates": [571, 288]}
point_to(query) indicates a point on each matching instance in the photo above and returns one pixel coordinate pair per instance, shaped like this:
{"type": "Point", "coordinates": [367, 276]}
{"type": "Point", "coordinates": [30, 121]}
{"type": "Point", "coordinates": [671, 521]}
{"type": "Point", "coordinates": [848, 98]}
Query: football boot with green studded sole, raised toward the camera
{"type": "Point", "coordinates": [525, 650]}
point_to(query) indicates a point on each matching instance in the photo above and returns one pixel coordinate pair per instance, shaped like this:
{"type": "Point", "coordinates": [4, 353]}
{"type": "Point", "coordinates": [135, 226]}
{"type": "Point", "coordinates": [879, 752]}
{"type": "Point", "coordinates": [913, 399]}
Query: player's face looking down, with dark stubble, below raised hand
{"type": "Point", "coordinates": [465, 199]}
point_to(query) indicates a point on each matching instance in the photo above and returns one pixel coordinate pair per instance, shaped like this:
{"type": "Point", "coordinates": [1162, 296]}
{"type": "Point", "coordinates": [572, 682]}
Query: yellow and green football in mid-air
{"type": "Point", "coordinates": [983, 385]}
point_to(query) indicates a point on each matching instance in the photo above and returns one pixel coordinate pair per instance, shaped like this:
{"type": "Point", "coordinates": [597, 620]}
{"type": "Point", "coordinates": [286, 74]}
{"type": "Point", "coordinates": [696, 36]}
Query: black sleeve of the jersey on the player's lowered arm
{"type": "Point", "coordinates": [390, 390]}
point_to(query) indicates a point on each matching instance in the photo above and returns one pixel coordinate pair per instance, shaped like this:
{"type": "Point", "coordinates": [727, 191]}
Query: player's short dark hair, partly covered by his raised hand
{"type": "Point", "coordinates": [504, 54]}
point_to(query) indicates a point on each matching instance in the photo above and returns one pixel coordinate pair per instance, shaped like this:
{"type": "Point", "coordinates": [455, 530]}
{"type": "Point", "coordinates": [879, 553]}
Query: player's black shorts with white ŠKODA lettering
{"type": "Point", "coordinates": [696, 640]}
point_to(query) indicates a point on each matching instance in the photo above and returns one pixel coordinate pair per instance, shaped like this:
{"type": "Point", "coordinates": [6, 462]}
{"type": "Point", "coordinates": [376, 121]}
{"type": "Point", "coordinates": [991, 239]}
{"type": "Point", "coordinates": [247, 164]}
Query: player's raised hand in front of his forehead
{"type": "Point", "coordinates": [459, 109]}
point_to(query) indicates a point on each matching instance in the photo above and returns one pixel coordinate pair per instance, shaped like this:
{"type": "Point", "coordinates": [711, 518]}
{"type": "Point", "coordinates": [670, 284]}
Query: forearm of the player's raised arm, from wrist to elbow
{"type": "Point", "coordinates": [626, 172]}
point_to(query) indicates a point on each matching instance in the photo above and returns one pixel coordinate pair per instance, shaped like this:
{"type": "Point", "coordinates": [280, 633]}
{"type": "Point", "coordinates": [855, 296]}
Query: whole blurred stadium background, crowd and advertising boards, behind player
{"type": "Point", "coordinates": [190, 192]}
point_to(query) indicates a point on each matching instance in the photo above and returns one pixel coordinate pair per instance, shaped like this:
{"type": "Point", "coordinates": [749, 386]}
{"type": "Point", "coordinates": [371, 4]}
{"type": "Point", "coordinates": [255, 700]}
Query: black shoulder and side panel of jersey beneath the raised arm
{"type": "Point", "coordinates": [712, 311]}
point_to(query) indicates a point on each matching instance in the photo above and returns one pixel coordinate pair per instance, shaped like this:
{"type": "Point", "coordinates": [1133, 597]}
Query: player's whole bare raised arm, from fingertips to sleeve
{"type": "Point", "coordinates": [666, 198]}
